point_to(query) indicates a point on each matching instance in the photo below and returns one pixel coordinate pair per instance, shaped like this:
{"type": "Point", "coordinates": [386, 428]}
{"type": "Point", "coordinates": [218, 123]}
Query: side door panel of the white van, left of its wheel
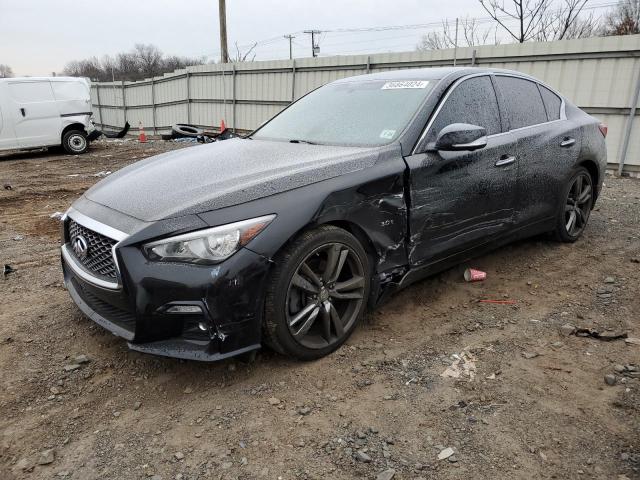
{"type": "Point", "coordinates": [35, 113]}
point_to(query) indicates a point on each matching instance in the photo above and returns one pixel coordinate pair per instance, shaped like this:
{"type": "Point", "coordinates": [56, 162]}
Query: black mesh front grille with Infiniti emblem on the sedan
{"type": "Point", "coordinates": [99, 257]}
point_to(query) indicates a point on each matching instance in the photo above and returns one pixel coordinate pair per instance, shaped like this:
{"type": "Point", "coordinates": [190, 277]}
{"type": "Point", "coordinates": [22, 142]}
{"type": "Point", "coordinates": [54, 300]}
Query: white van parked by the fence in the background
{"type": "Point", "coordinates": [45, 112]}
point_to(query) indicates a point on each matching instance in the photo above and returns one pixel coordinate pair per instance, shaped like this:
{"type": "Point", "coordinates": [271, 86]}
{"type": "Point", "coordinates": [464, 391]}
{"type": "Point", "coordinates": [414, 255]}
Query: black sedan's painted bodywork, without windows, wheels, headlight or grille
{"type": "Point", "coordinates": [415, 211]}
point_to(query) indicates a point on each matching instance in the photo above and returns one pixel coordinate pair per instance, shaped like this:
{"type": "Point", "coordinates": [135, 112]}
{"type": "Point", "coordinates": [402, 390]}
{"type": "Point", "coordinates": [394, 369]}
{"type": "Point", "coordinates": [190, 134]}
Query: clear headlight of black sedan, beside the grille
{"type": "Point", "coordinates": [212, 245]}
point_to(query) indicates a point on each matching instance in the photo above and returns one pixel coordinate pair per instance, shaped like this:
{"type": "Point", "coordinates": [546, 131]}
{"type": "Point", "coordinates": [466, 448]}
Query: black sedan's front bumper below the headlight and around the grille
{"type": "Point", "coordinates": [230, 296]}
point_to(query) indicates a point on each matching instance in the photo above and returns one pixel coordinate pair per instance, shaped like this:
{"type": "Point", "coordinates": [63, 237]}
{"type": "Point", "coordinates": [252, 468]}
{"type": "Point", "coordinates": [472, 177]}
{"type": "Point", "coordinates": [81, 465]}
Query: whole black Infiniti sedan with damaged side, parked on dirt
{"type": "Point", "coordinates": [363, 186]}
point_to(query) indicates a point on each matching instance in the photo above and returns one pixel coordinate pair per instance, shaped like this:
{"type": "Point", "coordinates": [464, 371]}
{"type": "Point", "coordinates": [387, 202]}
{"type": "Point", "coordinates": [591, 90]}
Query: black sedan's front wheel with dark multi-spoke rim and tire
{"type": "Point", "coordinates": [334, 299]}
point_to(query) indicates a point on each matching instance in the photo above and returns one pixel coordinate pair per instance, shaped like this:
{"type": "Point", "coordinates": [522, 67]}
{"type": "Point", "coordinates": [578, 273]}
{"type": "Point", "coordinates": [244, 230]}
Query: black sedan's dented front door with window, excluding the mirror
{"type": "Point", "coordinates": [460, 200]}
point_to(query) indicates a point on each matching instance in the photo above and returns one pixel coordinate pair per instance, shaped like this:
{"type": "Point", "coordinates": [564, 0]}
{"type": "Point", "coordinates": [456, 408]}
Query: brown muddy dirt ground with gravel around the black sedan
{"type": "Point", "coordinates": [530, 401]}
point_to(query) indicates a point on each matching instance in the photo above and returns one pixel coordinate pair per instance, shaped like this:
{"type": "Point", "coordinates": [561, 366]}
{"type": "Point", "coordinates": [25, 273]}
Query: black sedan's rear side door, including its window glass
{"type": "Point", "coordinates": [547, 145]}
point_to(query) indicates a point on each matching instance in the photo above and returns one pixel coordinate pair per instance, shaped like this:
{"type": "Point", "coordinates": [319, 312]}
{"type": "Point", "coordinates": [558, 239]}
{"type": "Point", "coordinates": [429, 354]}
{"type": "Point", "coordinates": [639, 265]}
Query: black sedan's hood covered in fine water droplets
{"type": "Point", "coordinates": [222, 174]}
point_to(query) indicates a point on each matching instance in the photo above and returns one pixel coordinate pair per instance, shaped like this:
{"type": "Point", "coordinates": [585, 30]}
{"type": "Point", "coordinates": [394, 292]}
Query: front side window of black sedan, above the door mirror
{"type": "Point", "coordinates": [472, 101]}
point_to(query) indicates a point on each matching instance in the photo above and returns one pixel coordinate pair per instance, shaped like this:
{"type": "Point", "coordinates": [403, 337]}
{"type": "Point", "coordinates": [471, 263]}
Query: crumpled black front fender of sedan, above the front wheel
{"type": "Point", "coordinates": [372, 199]}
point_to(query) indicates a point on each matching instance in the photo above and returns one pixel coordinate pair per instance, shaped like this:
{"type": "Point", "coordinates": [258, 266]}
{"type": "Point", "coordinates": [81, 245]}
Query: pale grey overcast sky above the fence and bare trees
{"type": "Point", "coordinates": [38, 37]}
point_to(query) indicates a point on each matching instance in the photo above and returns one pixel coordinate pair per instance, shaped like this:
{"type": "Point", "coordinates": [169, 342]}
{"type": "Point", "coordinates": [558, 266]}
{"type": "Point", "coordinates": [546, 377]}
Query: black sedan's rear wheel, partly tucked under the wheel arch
{"type": "Point", "coordinates": [573, 213]}
